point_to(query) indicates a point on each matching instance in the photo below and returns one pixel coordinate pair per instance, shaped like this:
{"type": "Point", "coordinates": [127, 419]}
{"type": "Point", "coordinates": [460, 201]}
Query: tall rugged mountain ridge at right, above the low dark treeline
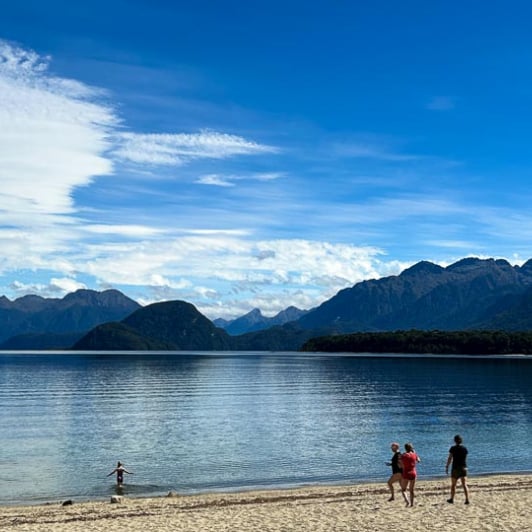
{"type": "Point", "coordinates": [469, 294]}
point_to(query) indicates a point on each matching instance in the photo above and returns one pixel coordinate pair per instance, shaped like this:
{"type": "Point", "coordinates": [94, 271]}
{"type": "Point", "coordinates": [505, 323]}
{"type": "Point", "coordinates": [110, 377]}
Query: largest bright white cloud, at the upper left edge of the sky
{"type": "Point", "coordinates": [52, 138]}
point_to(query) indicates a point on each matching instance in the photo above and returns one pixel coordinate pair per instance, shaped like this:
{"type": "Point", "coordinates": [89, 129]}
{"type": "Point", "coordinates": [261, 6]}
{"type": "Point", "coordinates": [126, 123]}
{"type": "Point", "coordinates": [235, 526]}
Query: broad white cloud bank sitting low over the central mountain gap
{"type": "Point", "coordinates": [208, 269]}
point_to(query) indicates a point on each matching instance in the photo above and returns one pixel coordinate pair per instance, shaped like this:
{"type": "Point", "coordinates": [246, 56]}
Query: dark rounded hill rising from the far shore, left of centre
{"type": "Point", "coordinates": [174, 325]}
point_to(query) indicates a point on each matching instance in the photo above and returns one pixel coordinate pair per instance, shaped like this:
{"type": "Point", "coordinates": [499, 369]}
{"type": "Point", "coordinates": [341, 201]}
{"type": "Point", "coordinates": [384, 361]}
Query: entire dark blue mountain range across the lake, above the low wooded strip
{"type": "Point", "coordinates": [485, 294]}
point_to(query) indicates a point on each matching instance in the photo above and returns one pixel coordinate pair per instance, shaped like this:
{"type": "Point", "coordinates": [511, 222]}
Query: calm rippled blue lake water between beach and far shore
{"type": "Point", "coordinates": [225, 421]}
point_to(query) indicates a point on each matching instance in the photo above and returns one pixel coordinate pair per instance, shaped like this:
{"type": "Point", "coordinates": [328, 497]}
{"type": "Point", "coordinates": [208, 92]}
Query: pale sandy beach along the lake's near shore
{"type": "Point", "coordinates": [498, 503]}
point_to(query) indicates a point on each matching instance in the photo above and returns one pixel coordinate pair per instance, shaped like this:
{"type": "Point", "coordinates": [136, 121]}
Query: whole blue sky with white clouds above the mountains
{"type": "Point", "coordinates": [251, 154]}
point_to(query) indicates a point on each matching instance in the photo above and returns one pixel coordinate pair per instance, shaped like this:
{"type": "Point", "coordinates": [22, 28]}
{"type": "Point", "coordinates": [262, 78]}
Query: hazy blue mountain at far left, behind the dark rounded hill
{"type": "Point", "coordinates": [75, 314]}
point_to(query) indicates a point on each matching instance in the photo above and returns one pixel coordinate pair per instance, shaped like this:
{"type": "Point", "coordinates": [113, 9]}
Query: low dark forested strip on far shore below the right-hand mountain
{"type": "Point", "coordinates": [437, 342]}
